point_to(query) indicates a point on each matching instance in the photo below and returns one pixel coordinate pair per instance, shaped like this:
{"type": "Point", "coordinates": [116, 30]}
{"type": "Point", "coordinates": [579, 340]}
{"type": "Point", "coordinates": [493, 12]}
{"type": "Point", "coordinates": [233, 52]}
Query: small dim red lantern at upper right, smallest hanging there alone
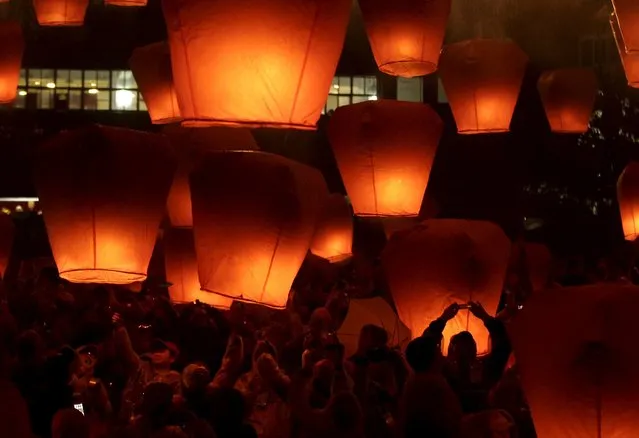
{"type": "Point", "coordinates": [568, 96]}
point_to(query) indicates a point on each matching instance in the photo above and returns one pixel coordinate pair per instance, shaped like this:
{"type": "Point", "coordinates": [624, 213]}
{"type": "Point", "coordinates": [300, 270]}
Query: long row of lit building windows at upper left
{"type": "Point", "coordinates": [89, 90]}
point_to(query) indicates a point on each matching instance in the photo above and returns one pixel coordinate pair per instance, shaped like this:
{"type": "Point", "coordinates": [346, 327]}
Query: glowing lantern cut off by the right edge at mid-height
{"type": "Point", "coordinates": [628, 199]}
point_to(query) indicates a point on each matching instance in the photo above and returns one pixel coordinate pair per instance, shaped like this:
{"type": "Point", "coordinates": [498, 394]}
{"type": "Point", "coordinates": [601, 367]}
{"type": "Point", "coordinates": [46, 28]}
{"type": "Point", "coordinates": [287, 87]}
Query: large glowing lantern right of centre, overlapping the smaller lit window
{"type": "Point", "coordinates": [385, 150]}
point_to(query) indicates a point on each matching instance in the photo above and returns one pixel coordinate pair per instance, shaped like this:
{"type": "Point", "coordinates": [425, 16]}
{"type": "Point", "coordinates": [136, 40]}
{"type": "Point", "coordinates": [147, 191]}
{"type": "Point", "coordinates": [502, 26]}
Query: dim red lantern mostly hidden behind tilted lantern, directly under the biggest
{"type": "Point", "coordinates": [190, 144]}
